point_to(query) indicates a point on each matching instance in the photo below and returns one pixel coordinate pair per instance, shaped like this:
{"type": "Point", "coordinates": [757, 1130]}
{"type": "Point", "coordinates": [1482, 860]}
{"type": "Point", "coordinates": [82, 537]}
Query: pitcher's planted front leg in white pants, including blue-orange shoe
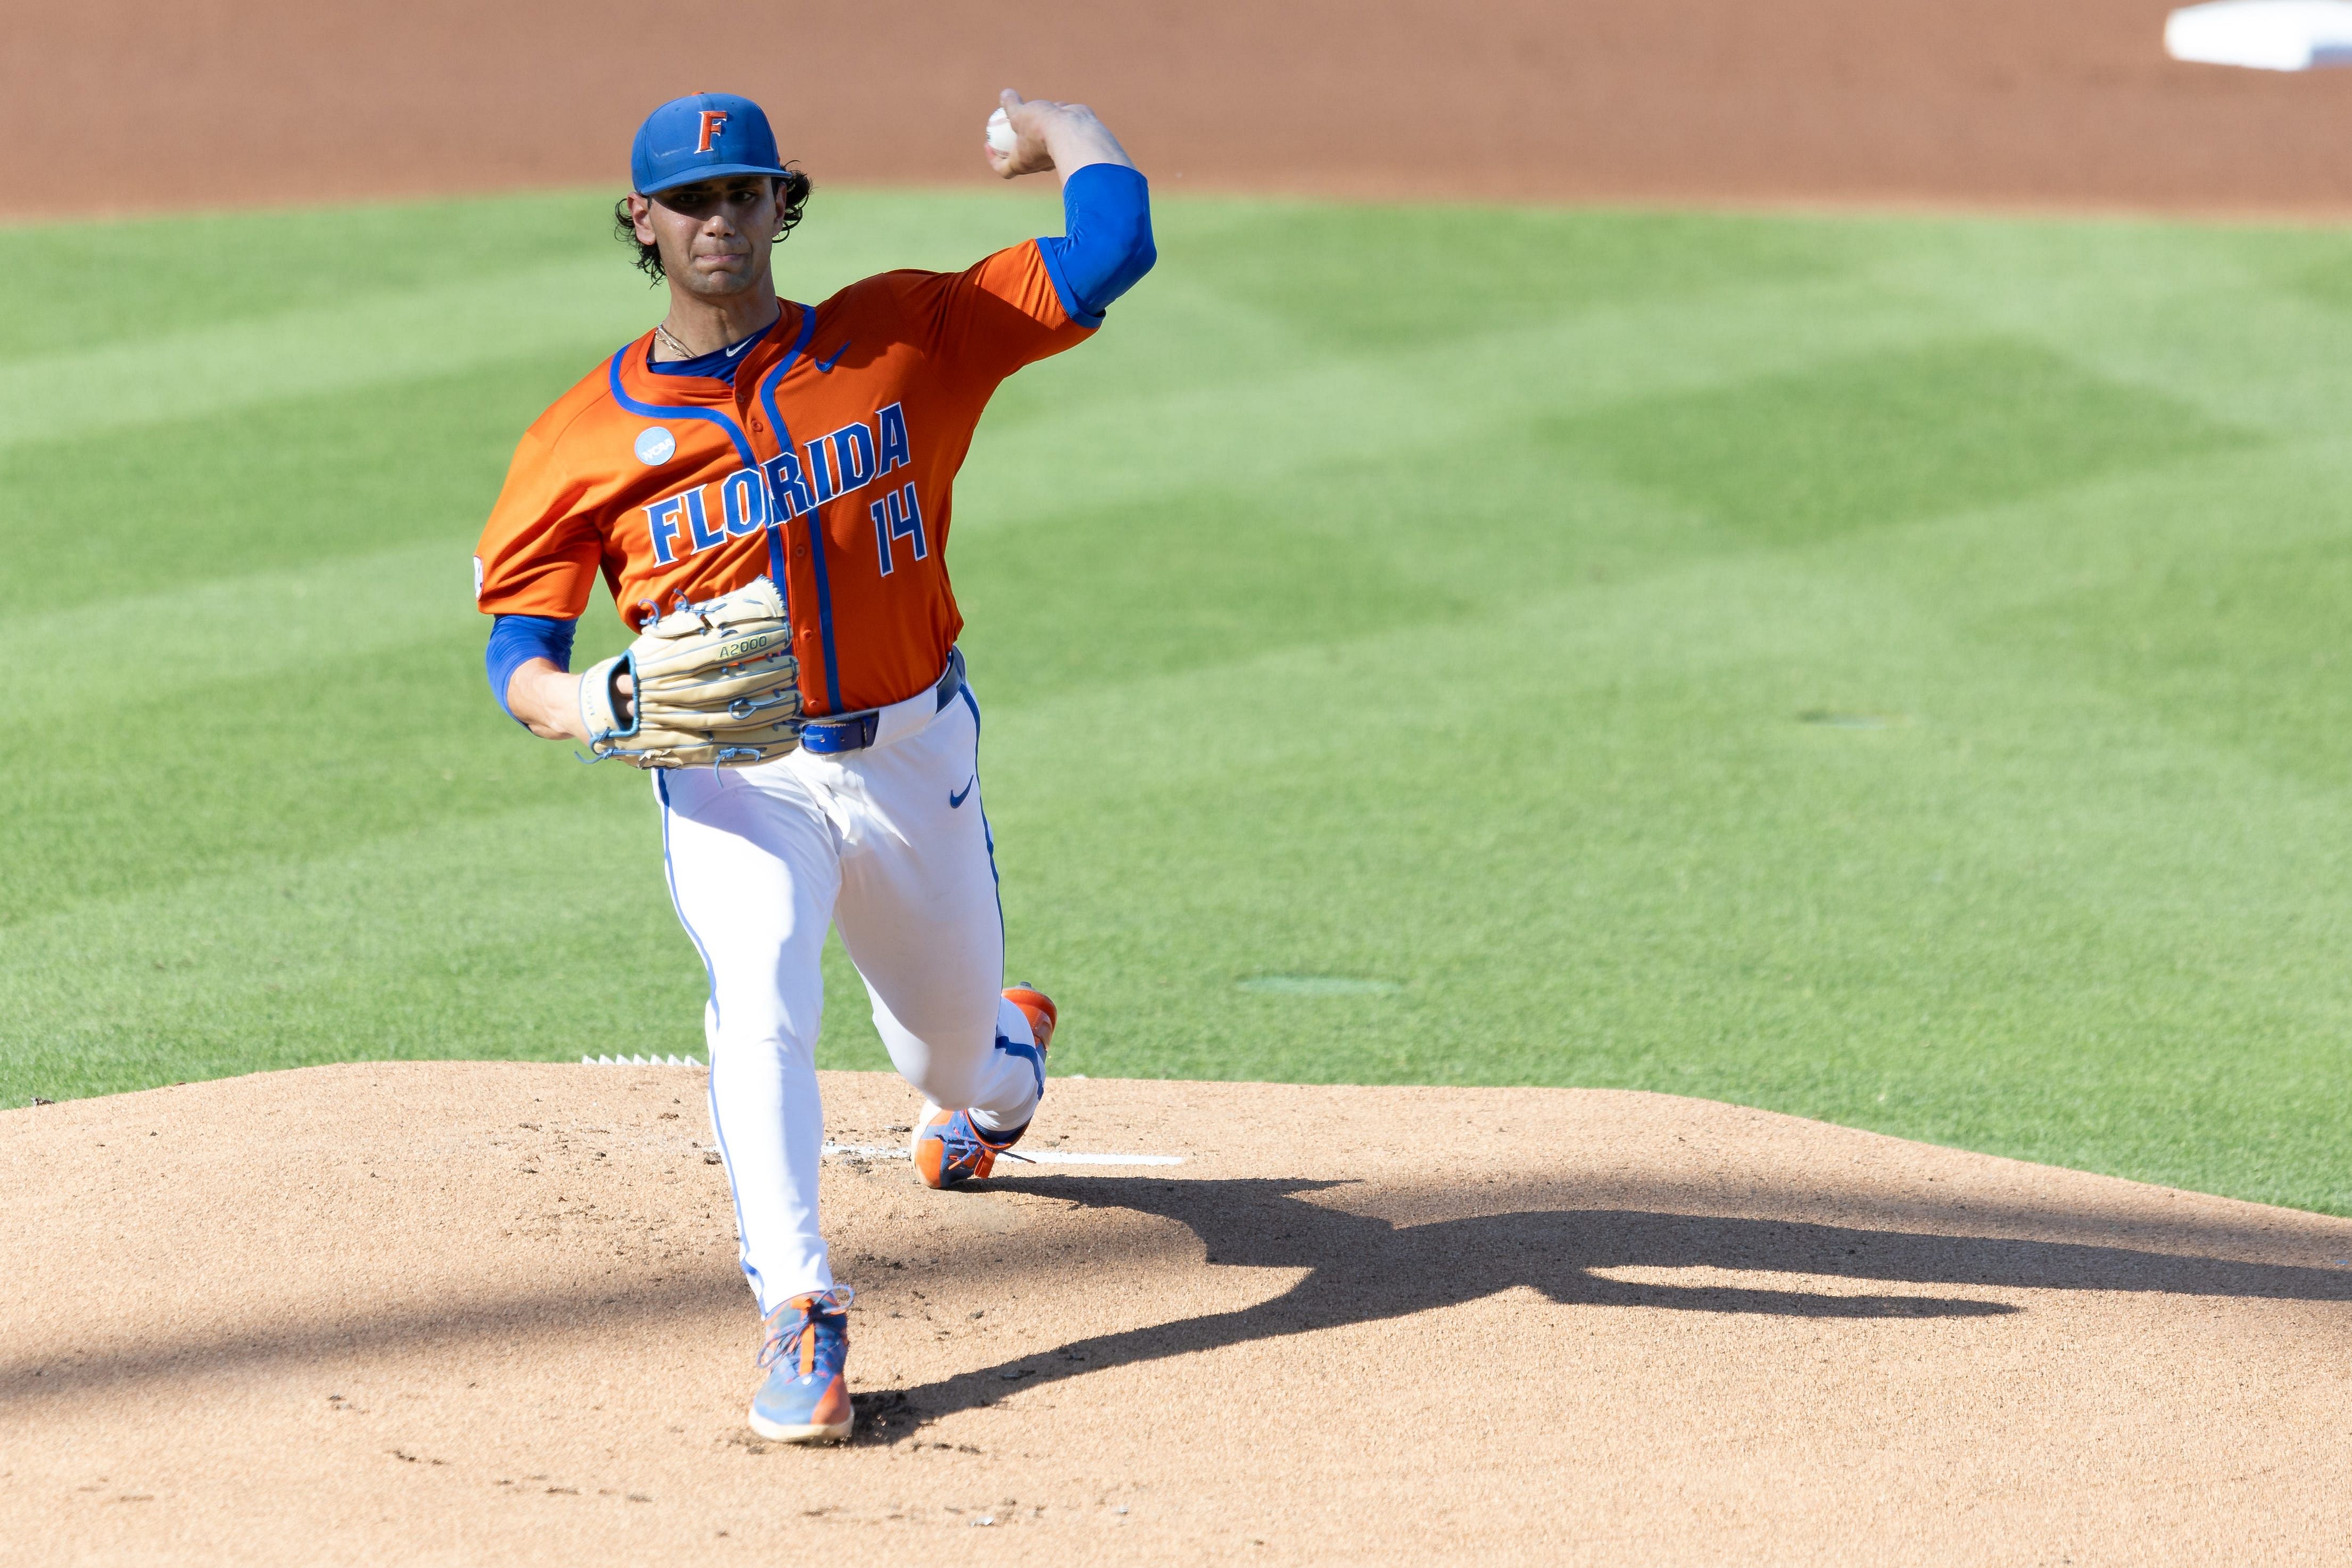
{"type": "Point", "coordinates": [756, 873]}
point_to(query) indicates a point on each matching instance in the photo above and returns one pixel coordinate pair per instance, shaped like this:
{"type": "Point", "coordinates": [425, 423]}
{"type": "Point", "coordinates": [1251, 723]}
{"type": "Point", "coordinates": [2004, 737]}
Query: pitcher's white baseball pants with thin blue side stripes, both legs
{"type": "Point", "coordinates": [888, 845]}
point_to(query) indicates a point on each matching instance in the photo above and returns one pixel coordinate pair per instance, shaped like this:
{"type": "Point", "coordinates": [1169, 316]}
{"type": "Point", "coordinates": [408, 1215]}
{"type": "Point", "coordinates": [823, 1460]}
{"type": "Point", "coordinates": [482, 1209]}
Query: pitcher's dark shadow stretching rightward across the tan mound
{"type": "Point", "coordinates": [1363, 1271]}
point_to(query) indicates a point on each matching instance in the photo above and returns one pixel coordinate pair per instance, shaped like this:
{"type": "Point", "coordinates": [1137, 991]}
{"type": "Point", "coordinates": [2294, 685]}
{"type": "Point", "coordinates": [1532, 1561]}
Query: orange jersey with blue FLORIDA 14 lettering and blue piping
{"type": "Point", "coordinates": [829, 464]}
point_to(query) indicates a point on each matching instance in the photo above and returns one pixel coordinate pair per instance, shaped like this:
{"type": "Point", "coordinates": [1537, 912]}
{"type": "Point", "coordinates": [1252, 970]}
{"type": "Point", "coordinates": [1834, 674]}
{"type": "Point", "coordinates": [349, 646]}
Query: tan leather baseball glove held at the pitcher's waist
{"type": "Point", "coordinates": [716, 685]}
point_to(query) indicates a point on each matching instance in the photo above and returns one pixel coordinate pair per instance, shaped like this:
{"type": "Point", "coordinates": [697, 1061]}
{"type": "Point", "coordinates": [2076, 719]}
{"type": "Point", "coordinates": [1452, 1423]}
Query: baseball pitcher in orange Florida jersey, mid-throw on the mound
{"type": "Point", "coordinates": [768, 490]}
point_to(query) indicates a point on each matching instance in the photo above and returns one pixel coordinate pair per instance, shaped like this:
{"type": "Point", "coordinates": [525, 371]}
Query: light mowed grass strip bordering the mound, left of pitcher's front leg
{"type": "Point", "coordinates": [363, 953]}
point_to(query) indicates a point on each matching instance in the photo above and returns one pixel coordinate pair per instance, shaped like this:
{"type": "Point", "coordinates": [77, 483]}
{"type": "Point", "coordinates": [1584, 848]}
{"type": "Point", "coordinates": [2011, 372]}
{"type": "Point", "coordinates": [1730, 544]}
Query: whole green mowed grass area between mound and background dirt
{"type": "Point", "coordinates": [1878, 669]}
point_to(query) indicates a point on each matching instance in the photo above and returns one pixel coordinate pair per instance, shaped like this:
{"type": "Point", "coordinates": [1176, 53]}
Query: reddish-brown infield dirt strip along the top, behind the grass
{"type": "Point", "coordinates": [121, 105]}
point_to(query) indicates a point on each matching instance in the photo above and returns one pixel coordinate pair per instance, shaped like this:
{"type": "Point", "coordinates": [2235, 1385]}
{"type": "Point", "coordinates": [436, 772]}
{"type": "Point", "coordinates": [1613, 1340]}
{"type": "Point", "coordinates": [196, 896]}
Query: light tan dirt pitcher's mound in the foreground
{"type": "Point", "coordinates": [490, 1313]}
